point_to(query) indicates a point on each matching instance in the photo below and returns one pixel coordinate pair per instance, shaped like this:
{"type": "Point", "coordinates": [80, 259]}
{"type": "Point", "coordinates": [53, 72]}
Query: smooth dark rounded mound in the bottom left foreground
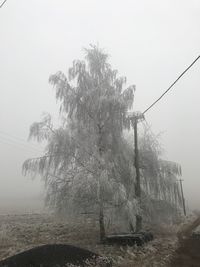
{"type": "Point", "coordinates": [55, 255]}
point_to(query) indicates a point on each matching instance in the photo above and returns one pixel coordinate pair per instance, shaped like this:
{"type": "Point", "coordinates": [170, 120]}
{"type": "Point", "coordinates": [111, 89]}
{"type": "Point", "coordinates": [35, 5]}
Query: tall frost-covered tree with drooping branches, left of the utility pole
{"type": "Point", "coordinates": [80, 159]}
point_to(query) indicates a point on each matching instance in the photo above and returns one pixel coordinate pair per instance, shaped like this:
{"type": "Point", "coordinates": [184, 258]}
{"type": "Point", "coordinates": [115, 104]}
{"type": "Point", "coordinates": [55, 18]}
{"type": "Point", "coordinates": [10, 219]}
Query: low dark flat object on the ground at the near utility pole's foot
{"type": "Point", "coordinates": [129, 239]}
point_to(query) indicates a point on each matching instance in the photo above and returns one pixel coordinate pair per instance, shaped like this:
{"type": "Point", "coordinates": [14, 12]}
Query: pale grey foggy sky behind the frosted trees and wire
{"type": "Point", "coordinates": [150, 42]}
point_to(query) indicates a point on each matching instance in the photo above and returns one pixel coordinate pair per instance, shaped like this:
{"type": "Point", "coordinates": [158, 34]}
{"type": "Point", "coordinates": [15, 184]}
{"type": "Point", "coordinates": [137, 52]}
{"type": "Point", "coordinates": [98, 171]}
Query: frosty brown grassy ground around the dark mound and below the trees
{"type": "Point", "coordinates": [24, 231]}
